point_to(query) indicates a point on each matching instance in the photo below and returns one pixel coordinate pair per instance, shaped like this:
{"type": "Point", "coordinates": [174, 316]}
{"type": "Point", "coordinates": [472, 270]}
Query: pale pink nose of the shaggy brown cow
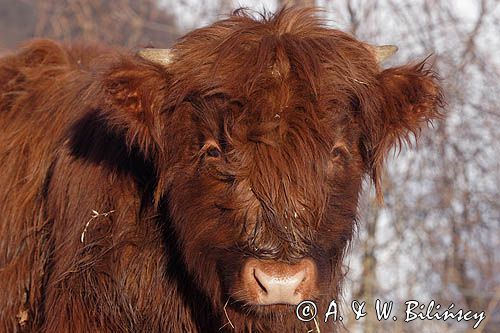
{"type": "Point", "coordinates": [271, 282]}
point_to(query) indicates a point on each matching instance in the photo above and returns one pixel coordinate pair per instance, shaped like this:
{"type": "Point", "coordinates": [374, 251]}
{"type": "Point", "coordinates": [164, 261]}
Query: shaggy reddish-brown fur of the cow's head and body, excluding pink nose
{"type": "Point", "coordinates": [131, 193]}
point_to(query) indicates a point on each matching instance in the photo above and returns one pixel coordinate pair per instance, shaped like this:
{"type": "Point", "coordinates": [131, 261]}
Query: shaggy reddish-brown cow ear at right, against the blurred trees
{"type": "Point", "coordinates": [408, 98]}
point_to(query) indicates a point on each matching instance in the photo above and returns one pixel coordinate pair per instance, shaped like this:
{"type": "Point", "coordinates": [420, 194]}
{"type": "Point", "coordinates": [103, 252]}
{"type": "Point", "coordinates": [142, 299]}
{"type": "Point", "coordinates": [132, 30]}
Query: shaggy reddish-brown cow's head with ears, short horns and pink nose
{"type": "Point", "coordinates": [260, 133]}
